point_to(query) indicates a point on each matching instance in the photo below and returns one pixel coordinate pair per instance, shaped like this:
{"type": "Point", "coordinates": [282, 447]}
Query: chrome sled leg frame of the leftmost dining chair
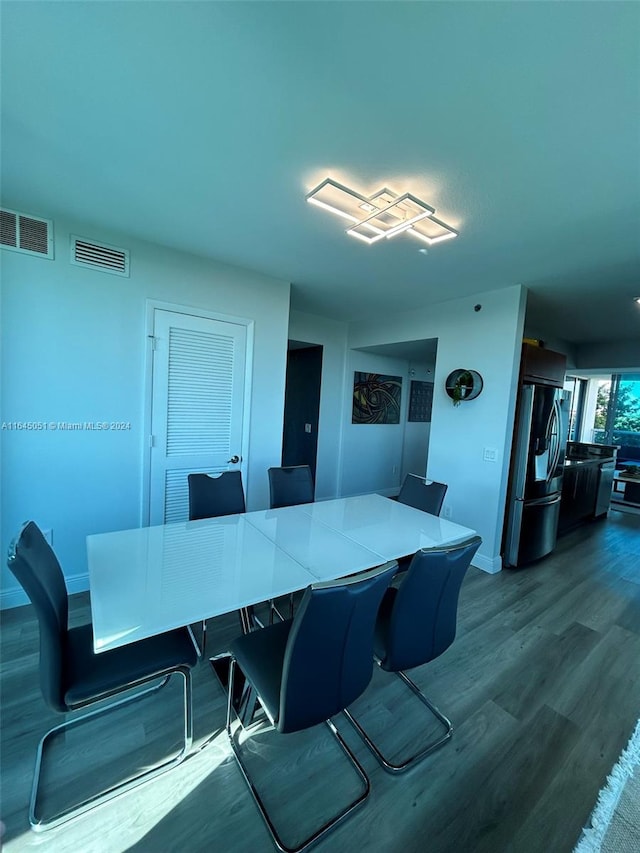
{"type": "Point", "coordinates": [39, 825]}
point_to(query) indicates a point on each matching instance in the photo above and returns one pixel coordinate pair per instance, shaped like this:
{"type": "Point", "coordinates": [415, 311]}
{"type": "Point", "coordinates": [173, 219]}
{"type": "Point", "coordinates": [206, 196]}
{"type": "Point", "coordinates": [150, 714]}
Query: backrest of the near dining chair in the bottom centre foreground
{"type": "Point", "coordinates": [328, 659]}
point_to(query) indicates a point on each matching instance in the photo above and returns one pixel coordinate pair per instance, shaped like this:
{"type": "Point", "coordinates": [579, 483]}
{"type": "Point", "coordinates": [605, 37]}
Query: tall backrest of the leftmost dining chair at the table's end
{"type": "Point", "coordinates": [36, 567]}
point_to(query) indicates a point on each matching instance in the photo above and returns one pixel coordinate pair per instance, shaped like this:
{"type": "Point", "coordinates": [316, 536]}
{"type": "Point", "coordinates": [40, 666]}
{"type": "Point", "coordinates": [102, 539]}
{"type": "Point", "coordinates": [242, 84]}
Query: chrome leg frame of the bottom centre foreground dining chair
{"type": "Point", "coordinates": [328, 825]}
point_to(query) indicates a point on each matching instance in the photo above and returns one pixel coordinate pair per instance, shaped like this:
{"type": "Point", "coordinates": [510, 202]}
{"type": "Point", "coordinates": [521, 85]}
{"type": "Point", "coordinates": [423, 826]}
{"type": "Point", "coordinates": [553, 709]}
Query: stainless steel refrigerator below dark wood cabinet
{"type": "Point", "coordinates": [535, 478]}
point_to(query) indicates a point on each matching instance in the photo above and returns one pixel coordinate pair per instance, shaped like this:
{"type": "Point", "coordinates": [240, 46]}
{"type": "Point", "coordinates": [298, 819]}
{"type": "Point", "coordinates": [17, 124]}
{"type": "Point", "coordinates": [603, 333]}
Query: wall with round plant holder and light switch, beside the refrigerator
{"type": "Point", "coordinates": [488, 341]}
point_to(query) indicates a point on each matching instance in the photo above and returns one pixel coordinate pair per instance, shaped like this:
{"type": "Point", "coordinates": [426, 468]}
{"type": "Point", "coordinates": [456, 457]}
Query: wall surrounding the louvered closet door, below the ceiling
{"type": "Point", "coordinates": [73, 349]}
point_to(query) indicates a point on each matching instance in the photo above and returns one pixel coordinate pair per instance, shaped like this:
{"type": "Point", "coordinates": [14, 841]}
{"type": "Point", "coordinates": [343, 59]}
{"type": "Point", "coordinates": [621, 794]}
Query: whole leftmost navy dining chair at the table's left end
{"type": "Point", "coordinates": [73, 677]}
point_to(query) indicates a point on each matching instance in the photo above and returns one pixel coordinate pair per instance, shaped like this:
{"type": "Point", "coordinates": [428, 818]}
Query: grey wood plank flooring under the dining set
{"type": "Point", "coordinates": [542, 684]}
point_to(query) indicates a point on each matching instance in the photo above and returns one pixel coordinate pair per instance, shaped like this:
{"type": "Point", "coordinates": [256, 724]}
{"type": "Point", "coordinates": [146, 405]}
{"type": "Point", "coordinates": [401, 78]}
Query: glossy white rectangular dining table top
{"type": "Point", "coordinates": [152, 579]}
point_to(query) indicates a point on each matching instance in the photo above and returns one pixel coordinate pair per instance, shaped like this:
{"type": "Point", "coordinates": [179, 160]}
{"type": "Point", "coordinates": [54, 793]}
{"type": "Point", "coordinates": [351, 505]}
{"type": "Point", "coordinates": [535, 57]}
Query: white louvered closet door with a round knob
{"type": "Point", "coordinates": [197, 406]}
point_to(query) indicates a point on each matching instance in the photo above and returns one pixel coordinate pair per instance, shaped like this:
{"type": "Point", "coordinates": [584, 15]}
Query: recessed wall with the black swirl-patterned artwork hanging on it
{"type": "Point", "coordinates": [372, 453]}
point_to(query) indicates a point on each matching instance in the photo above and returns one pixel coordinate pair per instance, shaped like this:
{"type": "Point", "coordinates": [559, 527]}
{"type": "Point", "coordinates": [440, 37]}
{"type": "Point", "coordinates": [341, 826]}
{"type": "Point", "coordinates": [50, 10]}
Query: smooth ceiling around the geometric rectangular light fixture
{"type": "Point", "coordinates": [202, 126]}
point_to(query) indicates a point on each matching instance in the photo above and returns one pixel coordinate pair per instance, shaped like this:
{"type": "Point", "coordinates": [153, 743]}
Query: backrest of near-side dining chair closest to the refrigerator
{"type": "Point", "coordinates": [419, 617]}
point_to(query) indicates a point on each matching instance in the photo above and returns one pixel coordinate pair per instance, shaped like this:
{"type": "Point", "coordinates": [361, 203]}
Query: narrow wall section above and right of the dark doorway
{"type": "Point", "coordinates": [332, 335]}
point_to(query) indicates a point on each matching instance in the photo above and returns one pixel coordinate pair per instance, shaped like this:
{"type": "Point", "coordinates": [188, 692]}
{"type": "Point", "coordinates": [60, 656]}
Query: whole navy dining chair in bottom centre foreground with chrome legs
{"type": "Point", "coordinates": [307, 669]}
